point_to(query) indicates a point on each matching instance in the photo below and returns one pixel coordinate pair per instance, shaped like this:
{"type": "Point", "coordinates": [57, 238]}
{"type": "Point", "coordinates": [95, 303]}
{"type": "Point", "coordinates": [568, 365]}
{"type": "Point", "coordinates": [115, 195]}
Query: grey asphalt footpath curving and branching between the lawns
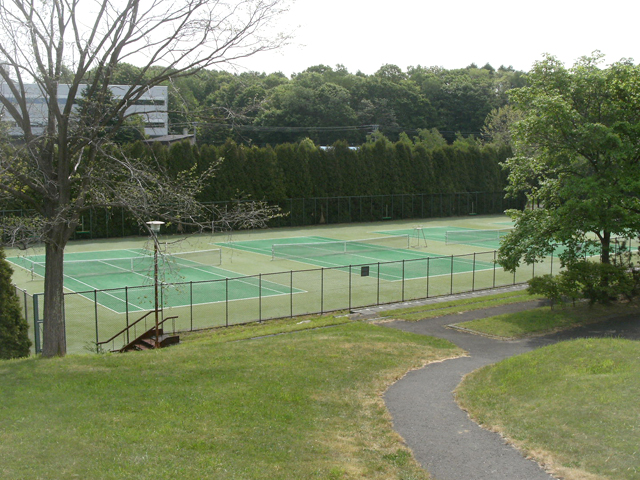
{"type": "Point", "coordinates": [443, 438]}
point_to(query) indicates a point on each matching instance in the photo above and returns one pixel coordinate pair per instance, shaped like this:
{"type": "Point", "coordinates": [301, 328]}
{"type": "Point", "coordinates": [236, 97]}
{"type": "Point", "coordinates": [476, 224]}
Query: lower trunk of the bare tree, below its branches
{"type": "Point", "coordinates": [54, 343]}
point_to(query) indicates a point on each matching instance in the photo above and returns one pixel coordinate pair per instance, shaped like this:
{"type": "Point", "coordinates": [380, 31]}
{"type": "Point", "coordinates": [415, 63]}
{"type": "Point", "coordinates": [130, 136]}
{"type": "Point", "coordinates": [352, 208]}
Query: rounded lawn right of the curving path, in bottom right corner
{"type": "Point", "coordinates": [573, 405]}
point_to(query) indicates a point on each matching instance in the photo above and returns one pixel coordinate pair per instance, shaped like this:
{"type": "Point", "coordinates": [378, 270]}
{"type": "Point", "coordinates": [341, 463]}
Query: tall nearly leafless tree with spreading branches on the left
{"type": "Point", "coordinates": [70, 164]}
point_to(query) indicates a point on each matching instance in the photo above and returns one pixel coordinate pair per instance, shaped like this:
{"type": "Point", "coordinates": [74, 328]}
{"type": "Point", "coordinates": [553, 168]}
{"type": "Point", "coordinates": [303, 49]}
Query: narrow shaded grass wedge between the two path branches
{"type": "Point", "coordinates": [545, 319]}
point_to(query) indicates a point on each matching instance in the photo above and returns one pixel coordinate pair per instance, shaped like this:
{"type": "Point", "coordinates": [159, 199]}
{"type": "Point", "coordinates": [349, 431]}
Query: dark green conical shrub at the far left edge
{"type": "Point", "coordinates": [14, 339]}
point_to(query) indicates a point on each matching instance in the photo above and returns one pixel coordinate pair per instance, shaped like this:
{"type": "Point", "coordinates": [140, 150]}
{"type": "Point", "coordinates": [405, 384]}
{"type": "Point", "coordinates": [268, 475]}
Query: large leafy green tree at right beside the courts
{"type": "Point", "coordinates": [577, 158]}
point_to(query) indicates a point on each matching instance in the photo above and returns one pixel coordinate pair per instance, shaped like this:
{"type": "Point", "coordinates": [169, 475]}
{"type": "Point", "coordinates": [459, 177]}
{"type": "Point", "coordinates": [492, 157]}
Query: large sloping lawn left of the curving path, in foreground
{"type": "Point", "coordinates": [293, 406]}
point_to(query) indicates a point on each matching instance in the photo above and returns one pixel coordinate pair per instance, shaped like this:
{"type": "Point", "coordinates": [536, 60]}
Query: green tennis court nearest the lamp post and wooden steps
{"type": "Point", "coordinates": [188, 279]}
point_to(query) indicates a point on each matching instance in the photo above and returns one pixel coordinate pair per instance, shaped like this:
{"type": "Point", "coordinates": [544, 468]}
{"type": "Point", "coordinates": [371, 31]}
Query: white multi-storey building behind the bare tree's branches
{"type": "Point", "coordinates": [152, 107]}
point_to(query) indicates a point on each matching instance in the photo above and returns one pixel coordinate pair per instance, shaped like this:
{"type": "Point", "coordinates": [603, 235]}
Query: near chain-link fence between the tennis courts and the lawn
{"type": "Point", "coordinates": [96, 315]}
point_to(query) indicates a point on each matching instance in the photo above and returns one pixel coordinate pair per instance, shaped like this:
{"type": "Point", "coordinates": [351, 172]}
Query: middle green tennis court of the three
{"type": "Point", "coordinates": [383, 259]}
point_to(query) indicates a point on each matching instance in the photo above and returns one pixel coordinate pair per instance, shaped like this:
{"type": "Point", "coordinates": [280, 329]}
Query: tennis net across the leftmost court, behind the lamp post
{"type": "Point", "coordinates": [143, 264]}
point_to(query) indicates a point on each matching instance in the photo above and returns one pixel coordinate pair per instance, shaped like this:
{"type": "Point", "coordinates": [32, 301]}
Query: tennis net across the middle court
{"type": "Point", "coordinates": [320, 249]}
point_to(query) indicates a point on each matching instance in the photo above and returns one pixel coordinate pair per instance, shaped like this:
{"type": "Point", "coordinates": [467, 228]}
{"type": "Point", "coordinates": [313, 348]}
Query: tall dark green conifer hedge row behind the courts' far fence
{"type": "Point", "coordinates": [426, 164]}
